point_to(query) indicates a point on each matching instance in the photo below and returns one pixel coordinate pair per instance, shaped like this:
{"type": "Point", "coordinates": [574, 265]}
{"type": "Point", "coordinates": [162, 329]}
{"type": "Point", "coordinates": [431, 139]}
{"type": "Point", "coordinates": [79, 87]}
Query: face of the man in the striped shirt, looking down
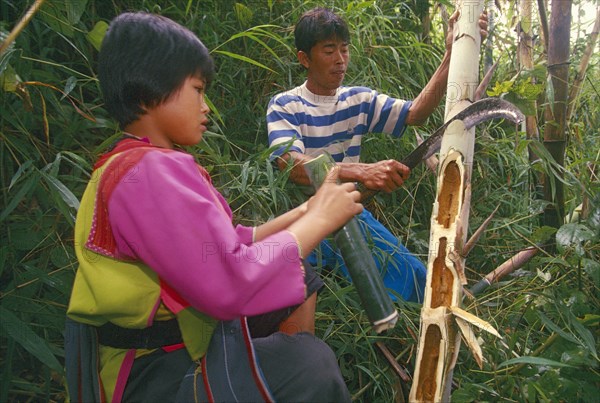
{"type": "Point", "coordinates": [326, 65]}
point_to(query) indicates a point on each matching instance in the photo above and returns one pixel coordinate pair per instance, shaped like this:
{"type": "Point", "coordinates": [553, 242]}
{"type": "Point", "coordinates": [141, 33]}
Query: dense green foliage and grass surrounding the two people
{"type": "Point", "coordinates": [53, 126]}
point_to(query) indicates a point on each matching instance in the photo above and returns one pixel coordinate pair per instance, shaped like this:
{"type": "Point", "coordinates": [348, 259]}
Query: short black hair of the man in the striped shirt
{"type": "Point", "coordinates": [317, 25]}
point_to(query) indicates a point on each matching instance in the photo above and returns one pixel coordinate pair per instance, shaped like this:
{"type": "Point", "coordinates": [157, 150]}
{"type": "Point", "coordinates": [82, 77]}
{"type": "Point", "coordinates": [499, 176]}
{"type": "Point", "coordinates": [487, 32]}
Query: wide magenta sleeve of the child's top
{"type": "Point", "coordinates": [171, 218]}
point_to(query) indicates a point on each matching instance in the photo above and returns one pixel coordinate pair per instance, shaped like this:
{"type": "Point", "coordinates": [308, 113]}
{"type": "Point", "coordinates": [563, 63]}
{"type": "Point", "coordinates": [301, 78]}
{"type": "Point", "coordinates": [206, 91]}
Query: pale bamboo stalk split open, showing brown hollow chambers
{"type": "Point", "coordinates": [439, 338]}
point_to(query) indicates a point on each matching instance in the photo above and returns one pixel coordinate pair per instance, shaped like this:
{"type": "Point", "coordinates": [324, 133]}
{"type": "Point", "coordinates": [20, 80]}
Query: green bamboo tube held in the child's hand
{"type": "Point", "coordinates": [358, 258]}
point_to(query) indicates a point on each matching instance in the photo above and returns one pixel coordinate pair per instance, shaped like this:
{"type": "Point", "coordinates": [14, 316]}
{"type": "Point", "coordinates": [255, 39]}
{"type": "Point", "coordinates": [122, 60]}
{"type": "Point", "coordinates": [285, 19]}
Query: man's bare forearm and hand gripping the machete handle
{"type": "Point", "coordinates": [385, 175]}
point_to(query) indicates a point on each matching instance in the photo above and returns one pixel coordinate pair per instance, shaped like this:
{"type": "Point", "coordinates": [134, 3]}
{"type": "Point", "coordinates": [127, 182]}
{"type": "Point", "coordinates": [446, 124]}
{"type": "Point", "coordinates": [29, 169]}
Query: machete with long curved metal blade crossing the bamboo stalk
{"type": "Point", "coordinates": [474, 114]}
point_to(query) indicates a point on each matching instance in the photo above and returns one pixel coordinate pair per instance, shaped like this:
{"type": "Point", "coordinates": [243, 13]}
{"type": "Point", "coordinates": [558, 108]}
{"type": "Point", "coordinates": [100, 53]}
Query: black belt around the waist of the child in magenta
{"type": "Point", "coordinates": [160, 334]}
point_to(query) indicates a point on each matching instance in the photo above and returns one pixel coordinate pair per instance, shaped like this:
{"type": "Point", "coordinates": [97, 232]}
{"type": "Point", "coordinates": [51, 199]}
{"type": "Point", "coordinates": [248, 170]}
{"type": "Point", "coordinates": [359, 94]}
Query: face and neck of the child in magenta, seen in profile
{"type": "Point", "coordinates": [182, 118]}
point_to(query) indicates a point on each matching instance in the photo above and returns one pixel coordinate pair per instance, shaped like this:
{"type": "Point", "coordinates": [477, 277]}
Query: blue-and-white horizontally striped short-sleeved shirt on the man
{"type": "Point", "coordinates": [298, 120]}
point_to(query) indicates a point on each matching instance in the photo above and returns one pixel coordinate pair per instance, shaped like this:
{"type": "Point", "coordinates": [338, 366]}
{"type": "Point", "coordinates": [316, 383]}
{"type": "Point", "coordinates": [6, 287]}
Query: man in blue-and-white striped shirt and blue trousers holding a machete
{"type": "Point", "coordinates": [323, 116]}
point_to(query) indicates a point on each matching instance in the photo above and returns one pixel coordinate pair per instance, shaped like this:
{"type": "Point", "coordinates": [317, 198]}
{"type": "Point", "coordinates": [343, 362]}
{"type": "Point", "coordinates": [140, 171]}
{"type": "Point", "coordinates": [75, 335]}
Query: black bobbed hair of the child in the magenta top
{"type": "Point", "coordinates": [144, 59]}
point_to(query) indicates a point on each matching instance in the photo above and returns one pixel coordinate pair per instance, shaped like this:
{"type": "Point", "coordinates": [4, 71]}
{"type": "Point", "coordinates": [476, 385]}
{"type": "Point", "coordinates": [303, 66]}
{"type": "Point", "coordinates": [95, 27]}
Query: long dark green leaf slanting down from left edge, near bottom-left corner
{"type": "Point", "coordinates": [28, 339]}
